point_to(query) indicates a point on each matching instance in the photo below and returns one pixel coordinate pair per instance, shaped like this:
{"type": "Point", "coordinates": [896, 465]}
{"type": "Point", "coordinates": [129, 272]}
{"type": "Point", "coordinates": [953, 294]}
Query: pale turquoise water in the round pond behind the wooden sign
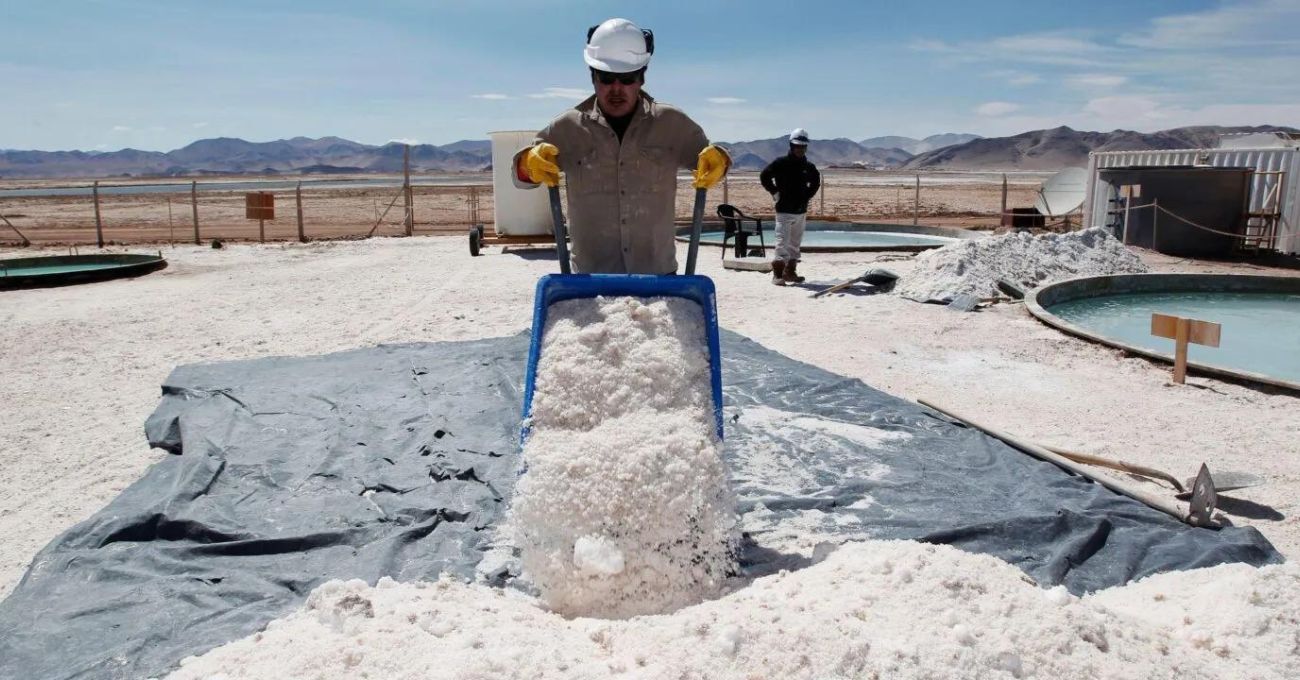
{"type": "Point", "coordinates": [1262, 331]}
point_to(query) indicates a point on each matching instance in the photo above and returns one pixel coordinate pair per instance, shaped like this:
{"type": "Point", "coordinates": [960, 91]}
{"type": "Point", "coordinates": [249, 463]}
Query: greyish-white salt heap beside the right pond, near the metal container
{"type": "Point", "coordinates": [973, 267]}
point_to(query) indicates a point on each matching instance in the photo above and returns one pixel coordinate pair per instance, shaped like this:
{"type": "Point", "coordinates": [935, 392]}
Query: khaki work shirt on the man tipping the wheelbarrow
{"type": "Point", "coordinates": [622, 197]}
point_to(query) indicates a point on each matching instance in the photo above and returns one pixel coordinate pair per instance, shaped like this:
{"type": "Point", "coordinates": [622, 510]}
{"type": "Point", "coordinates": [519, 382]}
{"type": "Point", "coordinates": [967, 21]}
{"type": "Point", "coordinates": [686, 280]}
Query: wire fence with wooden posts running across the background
{"type": "Point", "coordinates": [202, 211]}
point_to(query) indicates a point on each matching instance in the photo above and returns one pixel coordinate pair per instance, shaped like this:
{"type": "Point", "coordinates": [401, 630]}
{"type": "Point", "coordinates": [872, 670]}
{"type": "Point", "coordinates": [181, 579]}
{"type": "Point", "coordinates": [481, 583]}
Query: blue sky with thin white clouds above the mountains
{"type": "Point", "coordinates": [106, 75]}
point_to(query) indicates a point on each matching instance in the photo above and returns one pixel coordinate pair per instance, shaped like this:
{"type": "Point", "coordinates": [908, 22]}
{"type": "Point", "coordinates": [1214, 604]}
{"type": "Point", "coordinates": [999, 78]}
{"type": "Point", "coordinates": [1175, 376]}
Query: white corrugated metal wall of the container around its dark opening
{"type": "Point", "coordinates": [1262, 159]}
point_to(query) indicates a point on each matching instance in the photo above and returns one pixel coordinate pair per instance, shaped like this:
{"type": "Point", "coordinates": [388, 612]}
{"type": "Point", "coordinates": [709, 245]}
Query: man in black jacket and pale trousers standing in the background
{"type": "Point", "coordinates": [792, 181]}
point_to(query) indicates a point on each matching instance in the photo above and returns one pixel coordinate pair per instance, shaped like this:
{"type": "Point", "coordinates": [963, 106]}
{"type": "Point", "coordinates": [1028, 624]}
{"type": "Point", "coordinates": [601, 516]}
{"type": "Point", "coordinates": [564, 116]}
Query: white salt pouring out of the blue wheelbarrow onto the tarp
{"type": "Point", "coordinates": [625, 508]}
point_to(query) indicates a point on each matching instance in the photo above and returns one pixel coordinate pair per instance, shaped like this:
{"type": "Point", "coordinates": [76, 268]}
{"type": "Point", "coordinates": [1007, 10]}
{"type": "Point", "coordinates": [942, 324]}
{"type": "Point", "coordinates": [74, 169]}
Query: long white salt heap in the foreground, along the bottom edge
{"type": "Point", "coordinates": [886, 609]}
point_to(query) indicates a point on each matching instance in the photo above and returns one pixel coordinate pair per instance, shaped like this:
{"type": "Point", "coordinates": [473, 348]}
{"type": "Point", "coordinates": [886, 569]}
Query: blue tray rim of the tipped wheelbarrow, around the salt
{"type": "Point", "coordinates": [558, 288]}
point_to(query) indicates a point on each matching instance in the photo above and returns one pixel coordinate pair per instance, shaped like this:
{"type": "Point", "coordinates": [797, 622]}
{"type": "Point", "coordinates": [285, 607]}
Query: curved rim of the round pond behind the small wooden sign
{"type": "Point", "coordinates": [1095, 287]}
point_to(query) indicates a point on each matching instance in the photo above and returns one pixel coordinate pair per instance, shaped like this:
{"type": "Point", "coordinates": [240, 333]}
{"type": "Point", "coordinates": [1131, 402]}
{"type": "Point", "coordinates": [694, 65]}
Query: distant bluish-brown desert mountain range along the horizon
{"type": "Point", "coordinates": [1037, 150]}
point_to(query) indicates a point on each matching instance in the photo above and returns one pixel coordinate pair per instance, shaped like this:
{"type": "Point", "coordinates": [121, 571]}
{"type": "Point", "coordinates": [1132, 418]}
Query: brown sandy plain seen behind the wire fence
{"type": "Point", "coordinates": [350, 213]}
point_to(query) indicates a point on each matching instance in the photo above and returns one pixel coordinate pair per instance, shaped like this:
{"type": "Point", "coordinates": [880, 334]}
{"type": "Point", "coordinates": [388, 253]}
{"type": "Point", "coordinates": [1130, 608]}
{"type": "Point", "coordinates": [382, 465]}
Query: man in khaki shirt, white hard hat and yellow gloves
{"type": "Point", "coordinates": [621, 151]}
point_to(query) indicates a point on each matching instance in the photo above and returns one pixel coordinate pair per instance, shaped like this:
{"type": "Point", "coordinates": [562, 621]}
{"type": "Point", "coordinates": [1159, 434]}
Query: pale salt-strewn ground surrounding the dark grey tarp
{"type": "Point", "coordinates": [84, 365]}
